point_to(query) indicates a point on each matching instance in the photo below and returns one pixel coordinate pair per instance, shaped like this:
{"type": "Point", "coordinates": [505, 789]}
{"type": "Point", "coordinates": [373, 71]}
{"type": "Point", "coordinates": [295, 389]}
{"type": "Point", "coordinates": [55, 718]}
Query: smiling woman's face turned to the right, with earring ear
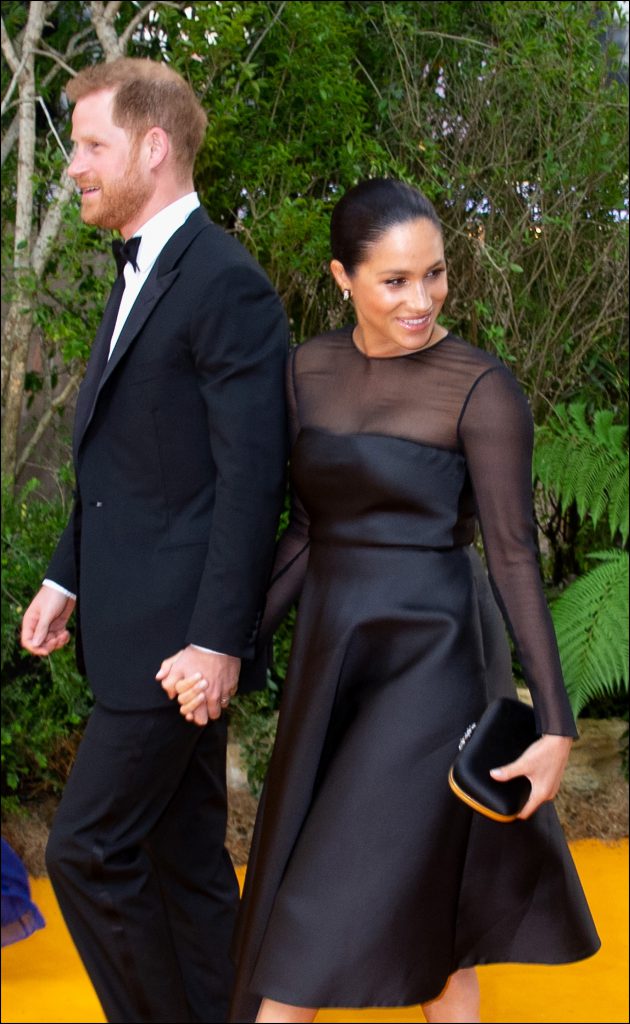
{"type": "Point", "coordinates": [399, 290]}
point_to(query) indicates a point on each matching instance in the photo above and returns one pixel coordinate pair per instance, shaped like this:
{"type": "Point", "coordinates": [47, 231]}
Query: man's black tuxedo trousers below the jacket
{"type": "Point", "coordinates": [138, 863]}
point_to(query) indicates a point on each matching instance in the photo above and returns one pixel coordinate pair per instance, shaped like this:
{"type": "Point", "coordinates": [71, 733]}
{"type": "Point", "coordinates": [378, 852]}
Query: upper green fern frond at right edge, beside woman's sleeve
{"type": "Point", "coordinates": [586, 463]}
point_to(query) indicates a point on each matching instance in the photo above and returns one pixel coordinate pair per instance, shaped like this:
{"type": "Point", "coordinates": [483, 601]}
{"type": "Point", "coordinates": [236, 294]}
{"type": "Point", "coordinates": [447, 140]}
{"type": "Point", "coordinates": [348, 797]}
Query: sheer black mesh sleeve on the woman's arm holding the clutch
{"type": "Point", "coordinates": [496, 433]}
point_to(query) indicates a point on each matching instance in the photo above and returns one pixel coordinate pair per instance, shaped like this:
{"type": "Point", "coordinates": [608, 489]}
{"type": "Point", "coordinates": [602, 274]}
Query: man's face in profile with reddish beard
{"type": "Point", "coordinates": [108, 167]}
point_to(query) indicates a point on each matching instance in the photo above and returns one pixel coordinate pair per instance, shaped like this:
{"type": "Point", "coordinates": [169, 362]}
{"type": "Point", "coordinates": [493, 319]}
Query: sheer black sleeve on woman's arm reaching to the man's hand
{"type": "Point", "coordinates": [292, 551]}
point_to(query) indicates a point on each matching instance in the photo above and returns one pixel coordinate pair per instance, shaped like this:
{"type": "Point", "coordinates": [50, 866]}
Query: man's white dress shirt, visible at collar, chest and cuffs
{"type": "Point", "coordinates": [154, 236]}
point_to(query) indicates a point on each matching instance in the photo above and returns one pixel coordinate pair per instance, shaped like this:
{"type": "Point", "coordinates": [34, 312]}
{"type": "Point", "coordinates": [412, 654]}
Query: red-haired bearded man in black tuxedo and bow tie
{"type": "Point", "coordinates": [180, 457]}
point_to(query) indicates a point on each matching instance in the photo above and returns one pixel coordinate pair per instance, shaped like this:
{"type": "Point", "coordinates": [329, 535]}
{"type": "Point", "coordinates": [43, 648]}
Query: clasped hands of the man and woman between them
{"type": "Point", "coordinates": [203, 682]}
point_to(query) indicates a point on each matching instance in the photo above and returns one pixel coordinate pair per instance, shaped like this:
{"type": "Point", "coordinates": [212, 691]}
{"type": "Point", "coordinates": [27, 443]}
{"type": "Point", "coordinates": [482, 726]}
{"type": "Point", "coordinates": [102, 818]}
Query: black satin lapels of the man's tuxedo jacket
{"type": "Point", "coordinates": [100, 369]}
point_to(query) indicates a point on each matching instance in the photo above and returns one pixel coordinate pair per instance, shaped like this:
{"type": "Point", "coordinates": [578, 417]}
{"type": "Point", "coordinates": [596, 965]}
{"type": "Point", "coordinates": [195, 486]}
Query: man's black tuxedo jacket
{"type": "Point", "coordinates": [180, 452]}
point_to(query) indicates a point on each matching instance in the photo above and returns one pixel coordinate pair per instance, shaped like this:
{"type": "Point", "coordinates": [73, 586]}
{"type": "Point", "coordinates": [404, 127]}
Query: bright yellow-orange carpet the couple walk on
{"type": "Point", "coordinates": [44, 980]}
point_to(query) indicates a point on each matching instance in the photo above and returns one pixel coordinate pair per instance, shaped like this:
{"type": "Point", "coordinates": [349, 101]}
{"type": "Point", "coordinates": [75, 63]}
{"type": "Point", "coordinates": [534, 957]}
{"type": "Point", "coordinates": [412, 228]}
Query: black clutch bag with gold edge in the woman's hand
{"type": "Point", "coordinates": [505, 731]}
